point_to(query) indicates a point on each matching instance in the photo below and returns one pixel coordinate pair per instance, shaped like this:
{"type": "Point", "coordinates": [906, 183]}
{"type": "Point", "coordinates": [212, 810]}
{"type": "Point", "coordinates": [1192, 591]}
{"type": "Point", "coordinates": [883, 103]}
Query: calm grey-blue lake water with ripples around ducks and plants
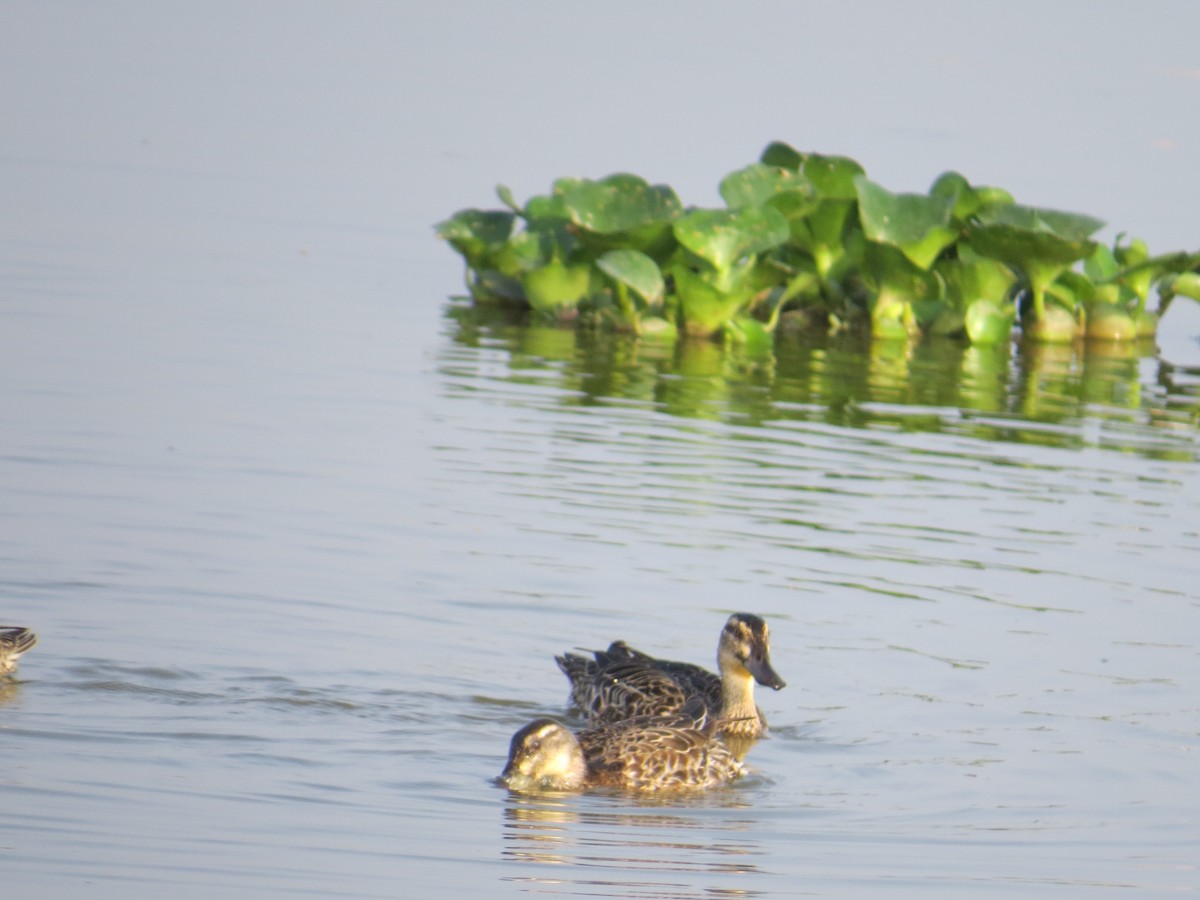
{"type": "Point", "coordinates": [302, 533]}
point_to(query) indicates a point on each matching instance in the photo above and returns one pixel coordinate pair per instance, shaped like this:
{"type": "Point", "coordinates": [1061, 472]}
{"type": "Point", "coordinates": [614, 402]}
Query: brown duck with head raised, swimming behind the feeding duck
{"type": "Point", "coordinates": [621, 682]}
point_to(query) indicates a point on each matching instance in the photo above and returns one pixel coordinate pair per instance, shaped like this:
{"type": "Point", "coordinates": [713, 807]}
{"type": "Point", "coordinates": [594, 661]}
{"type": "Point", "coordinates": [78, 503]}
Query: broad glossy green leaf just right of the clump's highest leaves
{"type": "Point", "coordinates": [917, 225]}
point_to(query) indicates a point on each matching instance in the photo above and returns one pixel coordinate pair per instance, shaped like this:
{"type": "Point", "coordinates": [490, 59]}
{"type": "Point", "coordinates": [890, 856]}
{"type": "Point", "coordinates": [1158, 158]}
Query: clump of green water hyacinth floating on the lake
{"type": "Point", "coordinates": [811, 236]}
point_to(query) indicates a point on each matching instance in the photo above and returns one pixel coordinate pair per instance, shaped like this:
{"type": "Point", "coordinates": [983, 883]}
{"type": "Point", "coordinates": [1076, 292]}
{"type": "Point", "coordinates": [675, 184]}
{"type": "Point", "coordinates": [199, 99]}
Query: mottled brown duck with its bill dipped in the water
{"type": "Point", "coordinates": [644, 754]}
